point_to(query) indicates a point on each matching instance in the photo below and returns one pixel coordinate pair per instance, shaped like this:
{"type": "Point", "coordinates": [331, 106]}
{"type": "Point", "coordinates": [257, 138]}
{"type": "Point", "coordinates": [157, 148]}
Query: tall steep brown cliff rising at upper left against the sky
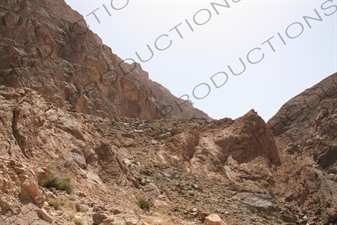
{"type": "Point", "coordinates": [46, 46]}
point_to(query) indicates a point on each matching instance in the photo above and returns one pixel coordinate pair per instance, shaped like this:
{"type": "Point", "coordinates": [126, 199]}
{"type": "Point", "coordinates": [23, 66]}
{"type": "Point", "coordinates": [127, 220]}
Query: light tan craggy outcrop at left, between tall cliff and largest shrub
{"type": "Point", "coordinates": [34, 130]}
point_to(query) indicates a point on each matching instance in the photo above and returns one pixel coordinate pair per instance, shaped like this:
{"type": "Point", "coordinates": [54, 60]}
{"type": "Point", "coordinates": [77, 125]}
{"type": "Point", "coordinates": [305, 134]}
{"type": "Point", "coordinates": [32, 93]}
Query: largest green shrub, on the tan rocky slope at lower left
{"type": "Point", "coordinates": [60, 183]}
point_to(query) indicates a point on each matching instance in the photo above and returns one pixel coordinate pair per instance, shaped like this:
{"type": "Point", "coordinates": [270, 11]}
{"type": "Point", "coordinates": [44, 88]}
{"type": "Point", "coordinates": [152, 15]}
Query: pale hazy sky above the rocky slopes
{"type": "Point", "coordinates": [200, 43]}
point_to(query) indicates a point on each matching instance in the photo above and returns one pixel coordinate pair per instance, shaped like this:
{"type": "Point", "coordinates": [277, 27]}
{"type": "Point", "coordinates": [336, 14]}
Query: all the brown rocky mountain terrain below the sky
{"type": "Point", "coordinates": [82, 142]}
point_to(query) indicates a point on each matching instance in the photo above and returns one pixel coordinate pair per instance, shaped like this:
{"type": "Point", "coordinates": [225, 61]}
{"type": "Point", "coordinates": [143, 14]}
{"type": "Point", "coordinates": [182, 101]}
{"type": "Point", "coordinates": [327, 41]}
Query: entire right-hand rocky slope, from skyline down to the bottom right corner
{"type": "Point", "coordinates": [305, 130]}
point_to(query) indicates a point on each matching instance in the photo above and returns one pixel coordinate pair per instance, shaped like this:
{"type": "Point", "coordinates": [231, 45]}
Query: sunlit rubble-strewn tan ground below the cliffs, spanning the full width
{"type": "Point", "coordinates": [190, 168]}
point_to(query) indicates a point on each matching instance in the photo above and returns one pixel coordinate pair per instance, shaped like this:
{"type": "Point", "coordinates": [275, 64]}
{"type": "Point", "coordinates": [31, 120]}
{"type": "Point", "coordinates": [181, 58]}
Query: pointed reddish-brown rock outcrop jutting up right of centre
{"type": "Point", "coordinates": [242, 151]}
